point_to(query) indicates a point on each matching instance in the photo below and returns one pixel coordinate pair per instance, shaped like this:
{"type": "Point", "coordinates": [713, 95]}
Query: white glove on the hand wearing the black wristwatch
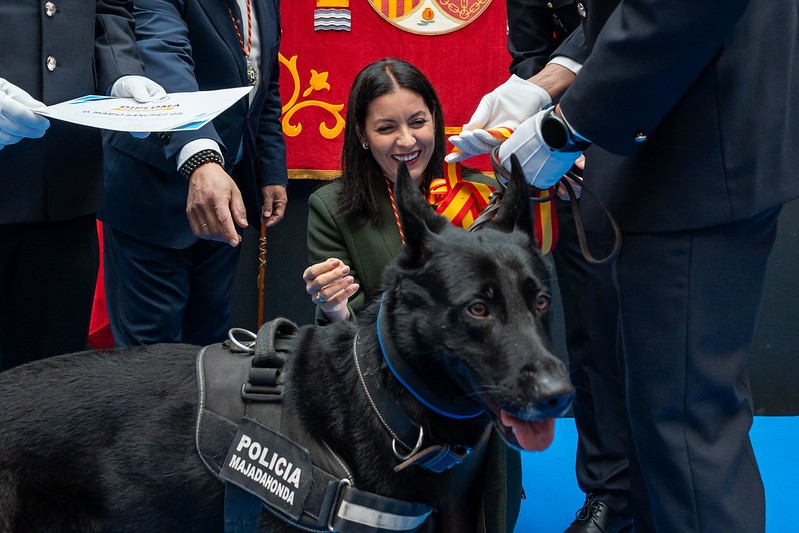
{"type": "Point", "coordinates": [542, 166]}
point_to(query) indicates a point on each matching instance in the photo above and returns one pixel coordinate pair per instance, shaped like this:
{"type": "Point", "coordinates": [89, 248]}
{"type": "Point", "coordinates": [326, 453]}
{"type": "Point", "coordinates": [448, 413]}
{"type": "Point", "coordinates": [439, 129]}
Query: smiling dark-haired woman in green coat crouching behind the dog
{"type": "Point", "coordinates": [393, 115]}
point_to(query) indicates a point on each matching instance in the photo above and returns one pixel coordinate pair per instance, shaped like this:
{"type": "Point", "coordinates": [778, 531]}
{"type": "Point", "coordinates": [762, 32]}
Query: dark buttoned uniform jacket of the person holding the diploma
{"type": "Point", "coordinates": [59, 176]}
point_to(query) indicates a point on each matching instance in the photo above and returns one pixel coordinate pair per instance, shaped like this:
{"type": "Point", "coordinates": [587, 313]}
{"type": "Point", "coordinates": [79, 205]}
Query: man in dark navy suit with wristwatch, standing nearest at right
{"type": "Point", "coordinates": [690, 106]}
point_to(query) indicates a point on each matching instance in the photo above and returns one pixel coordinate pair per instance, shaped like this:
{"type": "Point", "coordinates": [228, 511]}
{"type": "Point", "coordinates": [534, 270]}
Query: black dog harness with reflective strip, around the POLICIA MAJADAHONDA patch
{"type": "Point", "coordinates": [331, 503]}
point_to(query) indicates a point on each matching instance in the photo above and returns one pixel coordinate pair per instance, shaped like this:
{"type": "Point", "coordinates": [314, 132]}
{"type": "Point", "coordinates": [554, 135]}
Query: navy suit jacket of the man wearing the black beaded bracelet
{"type": "Point", "coordinates": [190, 45]}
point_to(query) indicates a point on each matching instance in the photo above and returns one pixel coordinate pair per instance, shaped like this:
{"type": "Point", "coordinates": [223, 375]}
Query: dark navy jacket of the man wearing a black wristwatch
{"type": "Point", "coordinates": [712, 86]}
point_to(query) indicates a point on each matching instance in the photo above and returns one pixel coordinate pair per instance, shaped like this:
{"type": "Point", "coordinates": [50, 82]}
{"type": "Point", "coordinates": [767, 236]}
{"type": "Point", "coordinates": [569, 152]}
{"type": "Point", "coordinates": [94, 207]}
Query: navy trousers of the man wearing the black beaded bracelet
{"type": "Point", "coordinates": [158, 294]}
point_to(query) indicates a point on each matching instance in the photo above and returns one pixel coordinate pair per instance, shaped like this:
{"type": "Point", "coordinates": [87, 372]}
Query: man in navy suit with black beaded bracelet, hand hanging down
{"type": "Point", "coordinates": [169, 276]}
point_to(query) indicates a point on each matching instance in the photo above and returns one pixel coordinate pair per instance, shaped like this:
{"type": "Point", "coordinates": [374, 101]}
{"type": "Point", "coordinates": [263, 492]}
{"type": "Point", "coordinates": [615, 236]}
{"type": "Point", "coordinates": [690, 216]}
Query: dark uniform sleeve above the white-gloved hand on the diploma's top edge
{"type": "Point", "coordinates": [115, 52]}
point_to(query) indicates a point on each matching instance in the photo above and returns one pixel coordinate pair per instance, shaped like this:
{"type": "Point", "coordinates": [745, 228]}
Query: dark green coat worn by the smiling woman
{"type": "Point", "coordinates": [368, 249]}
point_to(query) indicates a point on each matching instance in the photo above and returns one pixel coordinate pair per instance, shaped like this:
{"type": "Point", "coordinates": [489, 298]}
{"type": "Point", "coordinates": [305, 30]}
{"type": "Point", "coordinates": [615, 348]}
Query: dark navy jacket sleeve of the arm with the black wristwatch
{"type": "Point", "coordinates": [646, 54]}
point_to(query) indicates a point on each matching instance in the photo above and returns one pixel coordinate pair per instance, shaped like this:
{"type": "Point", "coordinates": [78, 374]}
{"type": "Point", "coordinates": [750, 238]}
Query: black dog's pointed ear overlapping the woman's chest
{"type": "Point", "coordinates": [418, 218]}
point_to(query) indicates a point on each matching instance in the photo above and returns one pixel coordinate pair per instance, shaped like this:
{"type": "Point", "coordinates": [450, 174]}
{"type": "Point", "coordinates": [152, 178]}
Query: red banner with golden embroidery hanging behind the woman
{"type": "Point", "coordinates": [318, 68]}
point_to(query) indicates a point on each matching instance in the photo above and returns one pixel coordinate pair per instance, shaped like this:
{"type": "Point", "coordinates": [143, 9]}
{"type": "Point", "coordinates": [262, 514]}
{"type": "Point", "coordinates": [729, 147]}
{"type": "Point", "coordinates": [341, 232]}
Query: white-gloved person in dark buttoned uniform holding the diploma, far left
{"type": "Point", "coordinates": [51, 174]}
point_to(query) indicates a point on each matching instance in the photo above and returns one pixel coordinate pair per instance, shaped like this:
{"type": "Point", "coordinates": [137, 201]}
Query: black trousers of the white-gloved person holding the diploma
{"type": "Point", "coordinates": [48, 273]}
